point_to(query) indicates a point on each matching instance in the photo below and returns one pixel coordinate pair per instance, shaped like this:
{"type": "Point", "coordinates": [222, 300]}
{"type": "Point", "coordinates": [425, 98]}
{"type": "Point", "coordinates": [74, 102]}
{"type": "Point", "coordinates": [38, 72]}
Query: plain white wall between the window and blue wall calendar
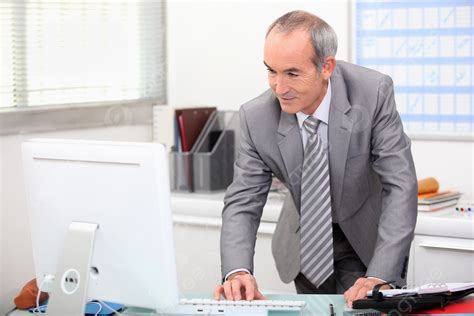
{"type": "Point", "coordinates": [215, 48]}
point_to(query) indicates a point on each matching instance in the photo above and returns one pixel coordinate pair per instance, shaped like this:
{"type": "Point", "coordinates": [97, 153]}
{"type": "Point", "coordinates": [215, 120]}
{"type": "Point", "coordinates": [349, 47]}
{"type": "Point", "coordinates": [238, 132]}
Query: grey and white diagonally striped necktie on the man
{"type": "Point", "coordinates": [316, 247]}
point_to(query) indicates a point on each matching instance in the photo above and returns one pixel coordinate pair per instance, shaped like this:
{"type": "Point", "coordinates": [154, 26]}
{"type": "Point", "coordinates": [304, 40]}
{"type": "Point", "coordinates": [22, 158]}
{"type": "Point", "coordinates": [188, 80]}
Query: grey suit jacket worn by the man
{"type": "Point", "coordinates": [372, 176]}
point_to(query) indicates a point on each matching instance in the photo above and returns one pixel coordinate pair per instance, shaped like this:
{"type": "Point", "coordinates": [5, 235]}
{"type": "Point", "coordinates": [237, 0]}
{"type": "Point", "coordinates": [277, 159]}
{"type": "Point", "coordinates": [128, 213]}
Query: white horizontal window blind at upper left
{"type": "Point", "coordinates": [80, 51]}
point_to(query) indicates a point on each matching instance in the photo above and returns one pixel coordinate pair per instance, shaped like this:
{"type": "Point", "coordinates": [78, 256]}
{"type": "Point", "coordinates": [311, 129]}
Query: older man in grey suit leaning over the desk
{"type": "Point", "coordinates": [332, 134]}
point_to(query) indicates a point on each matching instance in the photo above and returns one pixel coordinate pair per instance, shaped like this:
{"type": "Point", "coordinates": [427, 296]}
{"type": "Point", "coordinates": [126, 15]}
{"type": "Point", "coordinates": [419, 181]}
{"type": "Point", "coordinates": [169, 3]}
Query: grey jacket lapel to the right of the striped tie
{"type": "Point", "coordinates": [339, 134]}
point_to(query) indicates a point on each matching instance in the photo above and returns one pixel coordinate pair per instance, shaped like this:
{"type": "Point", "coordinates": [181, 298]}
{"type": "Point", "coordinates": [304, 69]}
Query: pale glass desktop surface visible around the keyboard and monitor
{"type": "Point", "coordinates": [315, 305]}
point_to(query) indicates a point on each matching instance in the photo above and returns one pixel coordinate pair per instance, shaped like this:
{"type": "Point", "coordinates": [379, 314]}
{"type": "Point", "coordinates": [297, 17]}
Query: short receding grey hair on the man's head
{"type": "Point", "coordinates": [323, 37]}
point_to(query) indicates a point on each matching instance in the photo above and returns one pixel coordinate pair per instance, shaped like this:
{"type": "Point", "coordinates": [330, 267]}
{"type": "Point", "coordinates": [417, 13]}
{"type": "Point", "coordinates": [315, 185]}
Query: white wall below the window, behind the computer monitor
{"type": "Point", "coordinates": [16, 258]}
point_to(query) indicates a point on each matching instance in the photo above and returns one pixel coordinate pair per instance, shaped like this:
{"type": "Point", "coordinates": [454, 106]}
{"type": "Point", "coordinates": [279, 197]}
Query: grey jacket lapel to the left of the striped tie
{"type": "Point", "coordinates": [291, 149]}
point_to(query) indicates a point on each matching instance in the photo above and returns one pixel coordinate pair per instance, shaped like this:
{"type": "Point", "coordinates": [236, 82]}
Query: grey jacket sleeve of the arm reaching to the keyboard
{"type": "Point", "coordinates": [243, 204]}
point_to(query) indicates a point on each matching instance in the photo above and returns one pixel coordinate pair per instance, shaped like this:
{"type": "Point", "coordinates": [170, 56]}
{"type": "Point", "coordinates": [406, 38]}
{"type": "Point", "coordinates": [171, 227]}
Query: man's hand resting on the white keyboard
{"type": "Point", "coordinates": [239, 285]}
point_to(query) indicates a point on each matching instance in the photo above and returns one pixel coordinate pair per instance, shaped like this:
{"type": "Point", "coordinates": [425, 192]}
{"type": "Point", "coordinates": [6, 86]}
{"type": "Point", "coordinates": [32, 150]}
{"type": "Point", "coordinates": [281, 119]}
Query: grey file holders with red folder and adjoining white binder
{"type": "Point", "coordinates": [203, 145]}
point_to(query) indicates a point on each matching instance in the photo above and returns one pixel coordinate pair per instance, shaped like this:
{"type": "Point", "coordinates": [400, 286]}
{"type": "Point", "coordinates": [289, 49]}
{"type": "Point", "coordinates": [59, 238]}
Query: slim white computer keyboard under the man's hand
{"type": "Point", "coordinates": [198, 306]}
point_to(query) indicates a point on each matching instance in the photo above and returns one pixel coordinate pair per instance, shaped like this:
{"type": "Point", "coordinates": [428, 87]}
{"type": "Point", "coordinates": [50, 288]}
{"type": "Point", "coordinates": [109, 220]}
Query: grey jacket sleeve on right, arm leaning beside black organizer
{"type": "Point", "coordinates": [393, 162]}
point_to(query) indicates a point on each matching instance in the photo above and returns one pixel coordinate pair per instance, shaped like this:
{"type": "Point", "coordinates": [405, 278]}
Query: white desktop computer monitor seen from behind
{"type": "Point", "coordinates": [115, 191]}
